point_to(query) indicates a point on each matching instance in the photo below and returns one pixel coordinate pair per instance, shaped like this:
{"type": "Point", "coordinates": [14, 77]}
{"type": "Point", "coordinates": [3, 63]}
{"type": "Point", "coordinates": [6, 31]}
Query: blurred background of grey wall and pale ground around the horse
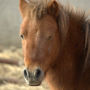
{"type": "Point", "coordinates": [11, 74]}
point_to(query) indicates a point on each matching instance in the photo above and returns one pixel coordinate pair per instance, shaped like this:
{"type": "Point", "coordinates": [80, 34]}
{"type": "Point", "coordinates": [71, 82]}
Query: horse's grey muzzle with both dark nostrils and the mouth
{"type": "Point", "coordinates": [33, 78]}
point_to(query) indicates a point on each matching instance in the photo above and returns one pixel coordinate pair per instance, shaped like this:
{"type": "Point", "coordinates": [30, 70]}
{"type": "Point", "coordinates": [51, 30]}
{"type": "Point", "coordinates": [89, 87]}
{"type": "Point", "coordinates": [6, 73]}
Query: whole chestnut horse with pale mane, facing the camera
{"type": "Point", "coordinates": [56, 45]}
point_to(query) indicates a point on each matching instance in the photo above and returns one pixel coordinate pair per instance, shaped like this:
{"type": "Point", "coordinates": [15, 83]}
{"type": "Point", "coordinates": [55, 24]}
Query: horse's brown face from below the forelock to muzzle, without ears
{"type": "Point", "coordinates": [40, 42]}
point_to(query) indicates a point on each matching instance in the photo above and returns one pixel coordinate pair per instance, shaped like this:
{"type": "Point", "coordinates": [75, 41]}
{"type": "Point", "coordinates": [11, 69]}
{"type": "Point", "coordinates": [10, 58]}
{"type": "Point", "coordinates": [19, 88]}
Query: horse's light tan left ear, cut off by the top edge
{"type": "Point", "coordinates": [23, 5]}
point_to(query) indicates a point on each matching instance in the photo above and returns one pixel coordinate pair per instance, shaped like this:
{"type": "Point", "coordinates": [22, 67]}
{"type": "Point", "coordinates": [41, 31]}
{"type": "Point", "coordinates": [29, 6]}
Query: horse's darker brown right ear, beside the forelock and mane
{"type": "Point", "coordinates": [53, 8]}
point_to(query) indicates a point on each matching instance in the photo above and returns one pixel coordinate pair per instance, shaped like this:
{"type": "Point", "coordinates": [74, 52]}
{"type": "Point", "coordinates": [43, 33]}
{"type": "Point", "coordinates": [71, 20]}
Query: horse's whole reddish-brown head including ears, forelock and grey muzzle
{"type": "Point", "coordinates": [40, 38]}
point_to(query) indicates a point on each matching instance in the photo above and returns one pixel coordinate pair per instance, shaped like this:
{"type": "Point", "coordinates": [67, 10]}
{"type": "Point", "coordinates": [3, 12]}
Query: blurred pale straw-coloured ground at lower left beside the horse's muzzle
{"type": "Point", "coordinates": [15, 73]}
